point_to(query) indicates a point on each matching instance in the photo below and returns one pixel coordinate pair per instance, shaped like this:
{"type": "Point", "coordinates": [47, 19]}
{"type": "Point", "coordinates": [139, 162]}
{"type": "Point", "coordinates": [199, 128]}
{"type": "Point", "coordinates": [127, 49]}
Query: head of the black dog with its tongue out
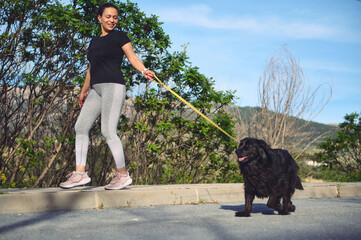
{"type": "Point", "coordinates": [251, 149]}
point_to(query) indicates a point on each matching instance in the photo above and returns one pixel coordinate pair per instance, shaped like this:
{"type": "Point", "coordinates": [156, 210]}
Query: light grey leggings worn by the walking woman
{"type": "Point", "coordinates": [105, 99]}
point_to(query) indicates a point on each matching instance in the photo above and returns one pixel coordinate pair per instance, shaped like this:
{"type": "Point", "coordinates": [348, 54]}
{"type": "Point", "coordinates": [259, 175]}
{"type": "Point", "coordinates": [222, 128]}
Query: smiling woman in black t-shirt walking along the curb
{"type": "Point", "coordinates": [106, 98]}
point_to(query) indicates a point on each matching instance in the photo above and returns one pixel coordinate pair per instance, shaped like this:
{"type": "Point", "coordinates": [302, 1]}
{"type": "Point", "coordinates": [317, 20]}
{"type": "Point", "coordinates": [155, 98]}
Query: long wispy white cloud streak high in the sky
{"type": "Point", "coordinates": [203, 16]}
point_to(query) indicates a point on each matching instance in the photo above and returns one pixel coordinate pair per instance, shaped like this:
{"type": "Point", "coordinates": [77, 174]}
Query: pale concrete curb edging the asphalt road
{"type": "Point", "coordinates": [81, 198]}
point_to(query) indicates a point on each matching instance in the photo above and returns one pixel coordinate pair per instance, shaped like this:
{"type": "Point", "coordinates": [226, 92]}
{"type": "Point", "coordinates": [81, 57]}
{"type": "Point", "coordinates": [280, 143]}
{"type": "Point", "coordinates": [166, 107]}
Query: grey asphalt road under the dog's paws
{"type": "Point", "coordinates": [338, 218]}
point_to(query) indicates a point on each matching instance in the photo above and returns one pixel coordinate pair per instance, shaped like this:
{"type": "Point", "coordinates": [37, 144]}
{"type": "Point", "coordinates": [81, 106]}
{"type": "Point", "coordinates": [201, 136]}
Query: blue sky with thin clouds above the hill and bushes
{"type": "Point", "coordinates": [231, 40]}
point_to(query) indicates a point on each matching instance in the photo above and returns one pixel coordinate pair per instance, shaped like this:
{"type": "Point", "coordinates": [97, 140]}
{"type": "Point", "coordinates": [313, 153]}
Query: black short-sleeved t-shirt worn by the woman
{"type": "Point", "coordinates": [105, 55]}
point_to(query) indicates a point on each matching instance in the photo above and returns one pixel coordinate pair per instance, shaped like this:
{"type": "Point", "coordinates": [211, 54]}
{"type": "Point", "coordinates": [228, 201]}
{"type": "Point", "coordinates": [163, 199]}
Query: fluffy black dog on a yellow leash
{"type": "Point", "coordinates": [267, 173]}
